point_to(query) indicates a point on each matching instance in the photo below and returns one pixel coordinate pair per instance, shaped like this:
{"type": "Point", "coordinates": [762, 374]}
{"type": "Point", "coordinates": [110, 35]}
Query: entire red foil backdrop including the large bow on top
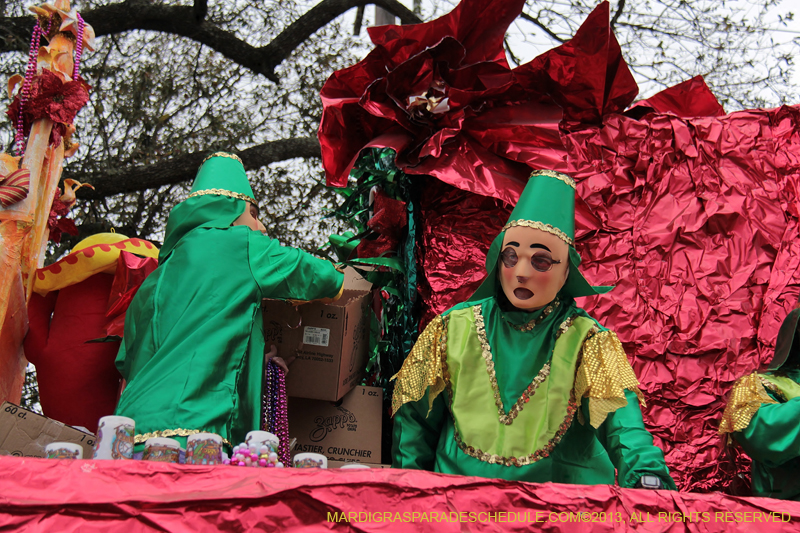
{"type": "Point", "coordinates": [691, 213]}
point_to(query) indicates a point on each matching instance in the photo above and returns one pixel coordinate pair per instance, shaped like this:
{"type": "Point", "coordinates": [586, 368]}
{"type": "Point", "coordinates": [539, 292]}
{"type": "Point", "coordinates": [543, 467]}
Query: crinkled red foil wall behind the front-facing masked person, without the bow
{"type": "Point", "coordinates": [696, 223]}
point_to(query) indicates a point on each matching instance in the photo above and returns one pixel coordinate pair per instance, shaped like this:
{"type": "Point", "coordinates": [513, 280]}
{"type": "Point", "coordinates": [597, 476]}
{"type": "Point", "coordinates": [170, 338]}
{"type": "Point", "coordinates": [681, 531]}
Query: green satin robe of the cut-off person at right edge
{"type": "Point", "coordinates": [772, 440]}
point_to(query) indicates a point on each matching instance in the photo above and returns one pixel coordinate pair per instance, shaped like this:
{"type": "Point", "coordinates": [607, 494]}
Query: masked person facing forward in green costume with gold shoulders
{"type": "Point", "coordinates": [518, 382]}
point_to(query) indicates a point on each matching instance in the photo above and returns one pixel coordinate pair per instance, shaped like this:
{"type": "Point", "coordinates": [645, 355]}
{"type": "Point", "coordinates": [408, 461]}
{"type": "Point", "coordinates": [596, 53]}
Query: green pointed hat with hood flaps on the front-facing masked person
{"type": "Point", "coordinates": [547, 204]}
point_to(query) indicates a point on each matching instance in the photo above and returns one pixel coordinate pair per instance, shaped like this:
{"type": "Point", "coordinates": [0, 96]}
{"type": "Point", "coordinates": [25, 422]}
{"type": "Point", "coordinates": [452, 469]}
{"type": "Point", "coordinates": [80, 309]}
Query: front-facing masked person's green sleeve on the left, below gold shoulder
{"type": "Point", "coordinates": [415, 437]}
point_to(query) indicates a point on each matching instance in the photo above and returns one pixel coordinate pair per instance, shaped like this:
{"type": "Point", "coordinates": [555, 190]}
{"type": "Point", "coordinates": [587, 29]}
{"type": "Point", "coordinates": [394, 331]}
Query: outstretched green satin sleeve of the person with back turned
{"type": "Point", "coordinates": [285, 273]}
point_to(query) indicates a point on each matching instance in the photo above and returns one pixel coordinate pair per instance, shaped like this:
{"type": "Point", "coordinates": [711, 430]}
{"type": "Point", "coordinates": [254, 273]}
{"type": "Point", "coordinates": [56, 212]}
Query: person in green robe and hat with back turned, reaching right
{"type": "Point", "coordinates": [193, 350]}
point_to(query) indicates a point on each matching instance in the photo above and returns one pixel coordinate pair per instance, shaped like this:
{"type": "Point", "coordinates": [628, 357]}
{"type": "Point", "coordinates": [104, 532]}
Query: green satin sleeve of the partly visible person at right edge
{"type": "Point", "coordinates": [773, 435]}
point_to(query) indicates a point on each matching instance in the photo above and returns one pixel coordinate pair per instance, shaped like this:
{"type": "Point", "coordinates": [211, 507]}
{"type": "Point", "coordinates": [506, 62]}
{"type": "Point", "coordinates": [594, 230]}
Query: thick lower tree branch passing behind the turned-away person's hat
{"type": "Point", "coordinates": [184, 167]}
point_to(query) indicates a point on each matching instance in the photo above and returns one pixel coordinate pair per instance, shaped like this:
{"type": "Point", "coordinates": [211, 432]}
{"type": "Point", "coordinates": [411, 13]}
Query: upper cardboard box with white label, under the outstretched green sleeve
{"type": "Point", "coordinates": [330, 341]}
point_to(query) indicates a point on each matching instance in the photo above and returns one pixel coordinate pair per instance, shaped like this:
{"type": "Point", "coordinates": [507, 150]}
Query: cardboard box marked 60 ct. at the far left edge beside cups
{"type": "Point", "coordinates": [24, 433]}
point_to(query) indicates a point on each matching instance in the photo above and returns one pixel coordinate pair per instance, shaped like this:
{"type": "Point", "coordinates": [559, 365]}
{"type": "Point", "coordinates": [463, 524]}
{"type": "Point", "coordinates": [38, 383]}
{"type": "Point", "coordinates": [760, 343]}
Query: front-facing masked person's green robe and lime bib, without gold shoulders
{"type": "Point", "coordinates": [584, 455]}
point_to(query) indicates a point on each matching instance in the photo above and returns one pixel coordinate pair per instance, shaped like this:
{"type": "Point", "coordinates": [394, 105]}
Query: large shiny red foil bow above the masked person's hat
{"type": "Point", "coordinates": [443, 96]}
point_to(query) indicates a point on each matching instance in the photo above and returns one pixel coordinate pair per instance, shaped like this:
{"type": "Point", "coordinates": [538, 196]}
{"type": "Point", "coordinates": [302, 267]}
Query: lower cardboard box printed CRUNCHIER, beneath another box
{"type": "Point", "coordinates": [346, 432]}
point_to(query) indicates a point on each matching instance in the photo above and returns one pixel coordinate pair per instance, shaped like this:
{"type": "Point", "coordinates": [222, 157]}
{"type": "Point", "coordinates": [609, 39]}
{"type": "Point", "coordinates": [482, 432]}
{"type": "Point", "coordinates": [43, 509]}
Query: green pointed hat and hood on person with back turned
{"type": "Point", "coordinates": [219, 195]}
